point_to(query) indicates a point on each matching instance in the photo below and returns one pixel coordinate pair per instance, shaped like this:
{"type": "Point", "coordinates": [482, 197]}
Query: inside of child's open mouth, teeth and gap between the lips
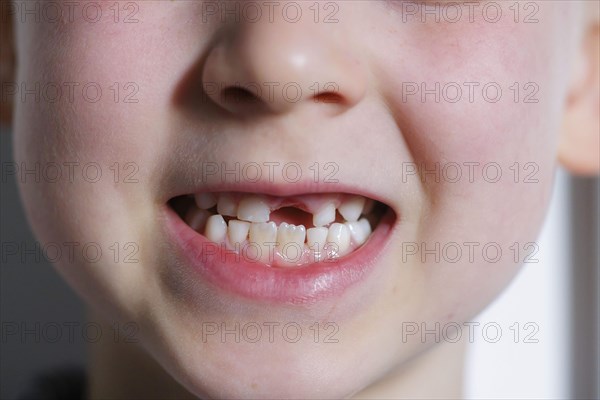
{"type": "Point", "coordinates": [282, 232]}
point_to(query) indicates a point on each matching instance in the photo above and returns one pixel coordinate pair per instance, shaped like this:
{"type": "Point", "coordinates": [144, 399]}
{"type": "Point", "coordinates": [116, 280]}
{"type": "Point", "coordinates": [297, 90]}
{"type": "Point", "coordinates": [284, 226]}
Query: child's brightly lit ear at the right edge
{"type": "Point", "coordinates": [579, 144]}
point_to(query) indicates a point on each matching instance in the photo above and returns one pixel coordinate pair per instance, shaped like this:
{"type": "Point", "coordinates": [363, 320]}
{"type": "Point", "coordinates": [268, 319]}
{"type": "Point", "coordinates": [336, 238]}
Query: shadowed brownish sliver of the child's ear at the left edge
{"type": "Point", "coordinates": [7, 66]}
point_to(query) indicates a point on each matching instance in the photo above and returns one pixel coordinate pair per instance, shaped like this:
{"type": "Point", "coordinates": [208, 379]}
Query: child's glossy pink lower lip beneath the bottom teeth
{"type": "Point", "coordinates": [258, 281]}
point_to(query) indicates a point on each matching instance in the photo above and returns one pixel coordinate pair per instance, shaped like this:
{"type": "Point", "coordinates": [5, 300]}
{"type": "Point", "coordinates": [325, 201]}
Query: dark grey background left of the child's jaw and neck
{"type": "Point", "coordinates": [31, 292]}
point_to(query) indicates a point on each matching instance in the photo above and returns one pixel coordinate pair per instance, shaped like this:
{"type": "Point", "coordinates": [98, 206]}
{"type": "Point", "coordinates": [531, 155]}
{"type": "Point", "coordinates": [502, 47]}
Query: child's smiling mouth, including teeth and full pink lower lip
{"type": "Point", "coordinates": [292, 249]}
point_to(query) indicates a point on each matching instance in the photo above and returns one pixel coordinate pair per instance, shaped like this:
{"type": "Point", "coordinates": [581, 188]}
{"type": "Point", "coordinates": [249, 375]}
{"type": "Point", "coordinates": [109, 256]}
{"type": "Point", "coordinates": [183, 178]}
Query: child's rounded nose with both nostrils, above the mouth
{"type": "Point", "coordinates": [279, 67]}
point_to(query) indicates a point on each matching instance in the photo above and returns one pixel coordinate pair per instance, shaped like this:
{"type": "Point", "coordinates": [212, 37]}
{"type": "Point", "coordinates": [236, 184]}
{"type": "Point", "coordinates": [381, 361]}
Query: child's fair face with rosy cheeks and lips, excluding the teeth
{"type": "Point", "coordinates": [154, 135]}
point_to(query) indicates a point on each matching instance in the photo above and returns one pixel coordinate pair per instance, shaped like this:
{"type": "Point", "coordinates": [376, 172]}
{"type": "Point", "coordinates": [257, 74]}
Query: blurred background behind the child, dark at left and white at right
{"type": "Point", "coordinates": [546, 348]}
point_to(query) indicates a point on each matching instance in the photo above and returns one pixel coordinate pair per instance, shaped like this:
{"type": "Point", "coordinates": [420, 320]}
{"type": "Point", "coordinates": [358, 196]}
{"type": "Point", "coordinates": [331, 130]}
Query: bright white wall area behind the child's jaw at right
{"type": "Point", "coordinates": [539, 294]}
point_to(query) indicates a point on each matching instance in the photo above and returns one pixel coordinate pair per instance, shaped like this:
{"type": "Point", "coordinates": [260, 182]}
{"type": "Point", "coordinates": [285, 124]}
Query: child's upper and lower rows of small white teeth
{"type": "Point", "coordinates": [293, 244]}
